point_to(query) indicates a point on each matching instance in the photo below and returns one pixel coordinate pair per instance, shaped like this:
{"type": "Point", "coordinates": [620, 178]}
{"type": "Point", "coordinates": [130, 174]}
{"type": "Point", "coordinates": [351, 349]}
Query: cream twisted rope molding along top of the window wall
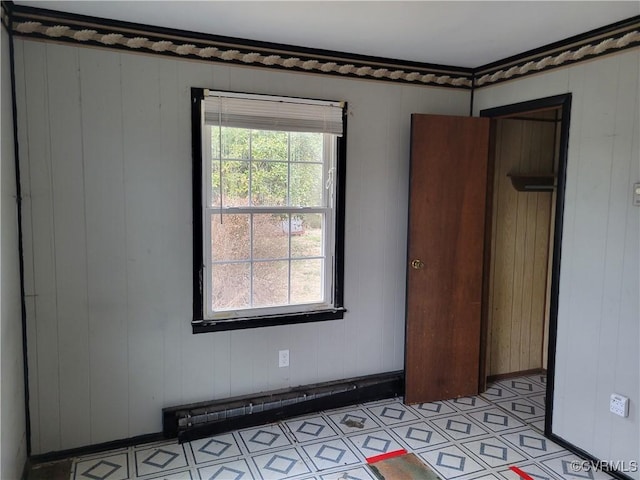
{"type": "Point", "coordinates": [249, 58]}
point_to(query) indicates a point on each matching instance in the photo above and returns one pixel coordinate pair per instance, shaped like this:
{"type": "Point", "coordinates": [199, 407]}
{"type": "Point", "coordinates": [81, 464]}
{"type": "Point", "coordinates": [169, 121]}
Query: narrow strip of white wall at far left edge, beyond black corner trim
{"type": "Point", "coordinates": [13, 430]}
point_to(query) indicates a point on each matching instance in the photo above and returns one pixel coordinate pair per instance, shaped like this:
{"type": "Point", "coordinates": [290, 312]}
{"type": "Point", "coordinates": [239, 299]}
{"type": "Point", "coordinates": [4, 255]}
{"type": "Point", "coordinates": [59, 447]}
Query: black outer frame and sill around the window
{"type": "Point", "coordinates": [200, 322]}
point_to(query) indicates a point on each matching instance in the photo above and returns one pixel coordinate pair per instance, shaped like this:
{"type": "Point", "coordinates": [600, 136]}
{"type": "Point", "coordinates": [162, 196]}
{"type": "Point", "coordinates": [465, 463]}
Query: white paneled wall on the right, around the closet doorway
{"type": "Point", "coordinates": [598, 318]}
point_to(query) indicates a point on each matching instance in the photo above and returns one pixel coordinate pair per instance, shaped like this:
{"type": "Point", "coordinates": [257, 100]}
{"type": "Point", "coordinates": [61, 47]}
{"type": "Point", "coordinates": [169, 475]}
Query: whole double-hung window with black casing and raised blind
{"type": "Point", "coordinates": [268, 194]}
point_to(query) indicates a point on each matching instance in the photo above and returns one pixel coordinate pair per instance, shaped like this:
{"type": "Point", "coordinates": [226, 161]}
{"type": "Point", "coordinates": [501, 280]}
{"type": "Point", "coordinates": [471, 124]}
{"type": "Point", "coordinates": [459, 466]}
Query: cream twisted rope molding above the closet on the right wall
{"type": "Point", "coordinates": [568, 56]}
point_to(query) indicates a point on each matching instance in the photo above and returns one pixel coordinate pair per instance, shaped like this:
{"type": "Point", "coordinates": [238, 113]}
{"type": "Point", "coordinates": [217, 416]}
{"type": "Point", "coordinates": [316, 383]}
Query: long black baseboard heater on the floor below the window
{"type": "Point", "coordinates": [204, 419]}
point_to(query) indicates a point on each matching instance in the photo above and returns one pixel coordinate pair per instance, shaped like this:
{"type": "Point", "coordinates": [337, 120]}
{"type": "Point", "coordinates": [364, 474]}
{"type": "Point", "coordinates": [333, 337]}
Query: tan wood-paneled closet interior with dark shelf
{"type": "Point", "coordinates": [520, 238]}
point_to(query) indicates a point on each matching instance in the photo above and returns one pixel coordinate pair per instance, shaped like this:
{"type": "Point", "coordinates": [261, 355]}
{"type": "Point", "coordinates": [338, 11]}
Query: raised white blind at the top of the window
{"type": "Point", "coordinates": [275, 113]}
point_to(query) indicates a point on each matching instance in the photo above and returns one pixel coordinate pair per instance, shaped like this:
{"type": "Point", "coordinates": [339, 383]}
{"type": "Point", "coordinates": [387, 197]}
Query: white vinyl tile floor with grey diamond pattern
{"type": "Point", "coordinates": [463, 439]}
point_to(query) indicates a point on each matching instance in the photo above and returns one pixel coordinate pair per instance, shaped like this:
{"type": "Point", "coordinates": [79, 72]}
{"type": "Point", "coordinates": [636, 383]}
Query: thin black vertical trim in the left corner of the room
{"type": "Point", "coordinates": [7, 12]}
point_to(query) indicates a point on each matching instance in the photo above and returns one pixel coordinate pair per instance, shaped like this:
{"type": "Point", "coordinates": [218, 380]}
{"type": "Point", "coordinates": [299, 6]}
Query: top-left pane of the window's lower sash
{"type": "Point", "coordinates": [229, 237]}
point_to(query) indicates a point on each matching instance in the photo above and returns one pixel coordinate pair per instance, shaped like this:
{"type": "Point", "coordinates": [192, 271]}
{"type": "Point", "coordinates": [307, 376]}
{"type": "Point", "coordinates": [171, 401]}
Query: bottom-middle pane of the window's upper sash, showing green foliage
{"type": "Point", "coordinates": [269, 183]}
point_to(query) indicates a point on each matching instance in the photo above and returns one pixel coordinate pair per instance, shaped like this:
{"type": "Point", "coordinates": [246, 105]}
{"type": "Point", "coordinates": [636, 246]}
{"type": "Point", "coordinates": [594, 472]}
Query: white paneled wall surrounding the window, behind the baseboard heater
{"type": "Point", "coordinates": [105, 143]}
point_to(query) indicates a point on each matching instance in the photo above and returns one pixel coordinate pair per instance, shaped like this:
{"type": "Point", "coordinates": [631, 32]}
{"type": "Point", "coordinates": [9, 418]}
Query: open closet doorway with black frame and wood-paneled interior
{"type": "Point", "coordinates": [532, 180]}
